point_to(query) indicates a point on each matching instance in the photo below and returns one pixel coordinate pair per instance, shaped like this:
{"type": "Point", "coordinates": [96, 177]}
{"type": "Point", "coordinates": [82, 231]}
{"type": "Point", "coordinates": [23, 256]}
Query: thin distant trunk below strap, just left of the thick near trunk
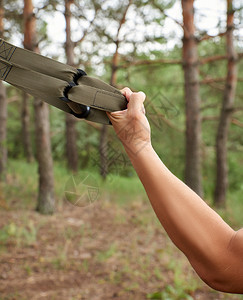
{"type": "Point", "coordinates": [25, 117]}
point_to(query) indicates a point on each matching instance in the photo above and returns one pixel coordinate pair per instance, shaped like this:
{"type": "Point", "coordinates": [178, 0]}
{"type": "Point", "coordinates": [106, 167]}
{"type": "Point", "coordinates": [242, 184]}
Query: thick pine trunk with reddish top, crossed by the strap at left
{"type": "Point", "coordinates": [46, 202]}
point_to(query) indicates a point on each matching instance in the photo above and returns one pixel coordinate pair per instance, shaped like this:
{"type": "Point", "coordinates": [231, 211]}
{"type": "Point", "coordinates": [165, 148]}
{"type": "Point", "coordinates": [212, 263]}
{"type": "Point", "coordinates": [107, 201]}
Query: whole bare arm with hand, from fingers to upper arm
{"type": "Point", "coordinates": [213, 248]}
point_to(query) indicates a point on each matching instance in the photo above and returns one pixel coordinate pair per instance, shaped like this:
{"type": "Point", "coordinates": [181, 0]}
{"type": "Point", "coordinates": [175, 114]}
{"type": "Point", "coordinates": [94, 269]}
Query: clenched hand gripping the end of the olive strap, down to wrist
{"type": "Point", "coordinates": [131, 124]}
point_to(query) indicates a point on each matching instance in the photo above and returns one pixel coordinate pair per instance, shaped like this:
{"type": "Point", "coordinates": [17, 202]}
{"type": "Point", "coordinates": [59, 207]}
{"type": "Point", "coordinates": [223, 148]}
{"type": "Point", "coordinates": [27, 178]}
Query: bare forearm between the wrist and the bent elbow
{"type": "Point", "coordinates": [191, 224]}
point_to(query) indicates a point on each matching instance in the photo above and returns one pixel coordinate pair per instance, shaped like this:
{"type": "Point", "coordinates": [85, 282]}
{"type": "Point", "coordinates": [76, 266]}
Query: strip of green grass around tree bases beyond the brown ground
{"type": "Point", "coordinates": [23, 180]}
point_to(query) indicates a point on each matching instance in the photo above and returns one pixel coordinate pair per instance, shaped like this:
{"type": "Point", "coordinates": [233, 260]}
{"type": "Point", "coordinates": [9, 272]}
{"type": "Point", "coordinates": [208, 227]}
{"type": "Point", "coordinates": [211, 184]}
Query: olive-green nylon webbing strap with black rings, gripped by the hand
{"type": "Point", "coordinates": [60, 85]}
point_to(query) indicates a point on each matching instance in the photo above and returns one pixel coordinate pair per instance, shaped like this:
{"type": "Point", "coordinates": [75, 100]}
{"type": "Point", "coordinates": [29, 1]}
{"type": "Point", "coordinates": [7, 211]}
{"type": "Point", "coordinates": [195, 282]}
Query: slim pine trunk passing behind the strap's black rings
{"type": "Point", "coordinates": [71, 132]}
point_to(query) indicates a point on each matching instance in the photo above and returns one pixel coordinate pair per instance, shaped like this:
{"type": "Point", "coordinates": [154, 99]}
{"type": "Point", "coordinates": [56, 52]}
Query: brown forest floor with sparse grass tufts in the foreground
{"type": "Point", "coordinates": [100, 252]}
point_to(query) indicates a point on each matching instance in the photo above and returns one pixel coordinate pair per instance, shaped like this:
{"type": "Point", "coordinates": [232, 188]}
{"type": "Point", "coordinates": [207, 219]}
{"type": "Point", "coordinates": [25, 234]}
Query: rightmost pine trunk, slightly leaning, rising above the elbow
{"type": "Point", "coordinates": [226, 112]}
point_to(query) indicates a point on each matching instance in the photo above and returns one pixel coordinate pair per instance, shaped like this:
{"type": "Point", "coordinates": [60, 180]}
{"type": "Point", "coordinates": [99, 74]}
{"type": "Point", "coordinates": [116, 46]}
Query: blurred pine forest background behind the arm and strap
{"type": "Point", "coordinates": [75, 222]}
